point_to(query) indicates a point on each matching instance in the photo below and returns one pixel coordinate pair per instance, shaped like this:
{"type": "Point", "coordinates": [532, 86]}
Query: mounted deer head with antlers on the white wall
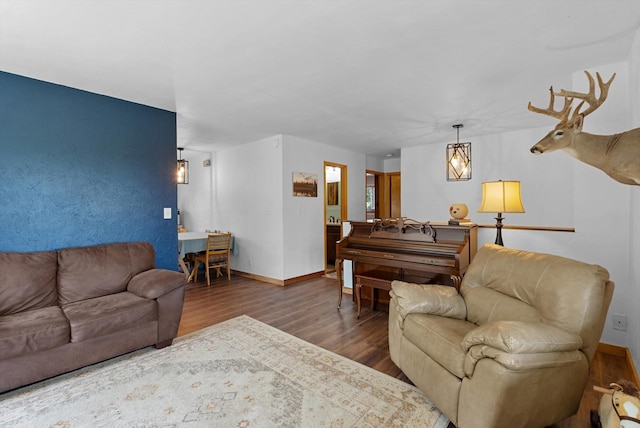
{"type": "Point", "coordinates": [617, 155]}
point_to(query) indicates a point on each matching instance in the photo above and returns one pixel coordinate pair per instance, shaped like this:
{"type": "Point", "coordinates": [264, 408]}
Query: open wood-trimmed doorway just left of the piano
{"type": "Point", "coordinates": [335, 210]}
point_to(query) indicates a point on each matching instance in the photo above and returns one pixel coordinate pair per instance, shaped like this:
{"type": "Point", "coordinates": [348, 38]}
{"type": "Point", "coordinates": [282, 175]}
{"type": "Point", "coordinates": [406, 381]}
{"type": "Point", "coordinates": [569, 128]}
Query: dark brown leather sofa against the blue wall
{"type": "Point", "coordinates": [62, 310]}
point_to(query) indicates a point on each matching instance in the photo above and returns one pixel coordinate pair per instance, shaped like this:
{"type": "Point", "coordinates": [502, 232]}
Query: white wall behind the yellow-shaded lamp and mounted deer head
{"type": "Point", "coordinates": [557, 190]}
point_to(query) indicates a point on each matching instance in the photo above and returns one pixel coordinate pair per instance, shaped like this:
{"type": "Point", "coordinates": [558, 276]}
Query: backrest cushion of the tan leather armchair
{"type": "Point", "coordinates": [515, 285]}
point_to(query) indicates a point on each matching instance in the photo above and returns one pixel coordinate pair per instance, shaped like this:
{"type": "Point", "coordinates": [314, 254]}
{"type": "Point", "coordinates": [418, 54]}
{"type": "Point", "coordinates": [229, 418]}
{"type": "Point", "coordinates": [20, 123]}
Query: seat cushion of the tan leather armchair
{"type": "Point", "coordinates": [440, 338]}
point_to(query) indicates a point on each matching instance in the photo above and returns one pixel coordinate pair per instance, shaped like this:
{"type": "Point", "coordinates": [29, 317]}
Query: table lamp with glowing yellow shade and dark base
{"type": "Point", "coordinates": [501, 197]}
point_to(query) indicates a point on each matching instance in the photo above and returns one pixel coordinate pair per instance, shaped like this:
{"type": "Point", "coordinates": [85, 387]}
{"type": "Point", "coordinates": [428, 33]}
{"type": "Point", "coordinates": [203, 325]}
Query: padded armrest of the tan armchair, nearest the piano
{"type": "Point", "coordinates": [428, 299]}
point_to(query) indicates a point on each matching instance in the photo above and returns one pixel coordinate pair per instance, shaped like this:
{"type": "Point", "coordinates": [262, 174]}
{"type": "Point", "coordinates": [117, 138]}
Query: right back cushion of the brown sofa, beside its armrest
{"type": "Point", "coordinates": [88, 272]}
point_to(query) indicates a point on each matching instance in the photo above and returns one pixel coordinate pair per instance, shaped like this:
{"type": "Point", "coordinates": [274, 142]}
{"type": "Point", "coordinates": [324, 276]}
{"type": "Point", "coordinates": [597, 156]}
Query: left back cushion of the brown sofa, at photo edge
{"type": "Point", "coordinates": [27, 281]}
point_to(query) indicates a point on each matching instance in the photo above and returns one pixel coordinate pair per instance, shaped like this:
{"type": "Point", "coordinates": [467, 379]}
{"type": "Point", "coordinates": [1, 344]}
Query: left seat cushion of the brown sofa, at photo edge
{"type": "Point", "coordinates": [32, 331]}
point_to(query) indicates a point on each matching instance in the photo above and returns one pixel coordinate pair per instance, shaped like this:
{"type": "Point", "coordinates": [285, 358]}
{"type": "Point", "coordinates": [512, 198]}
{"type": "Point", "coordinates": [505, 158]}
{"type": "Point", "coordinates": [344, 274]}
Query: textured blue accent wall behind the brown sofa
{"type": "Point", "coordinates": [77, 168]}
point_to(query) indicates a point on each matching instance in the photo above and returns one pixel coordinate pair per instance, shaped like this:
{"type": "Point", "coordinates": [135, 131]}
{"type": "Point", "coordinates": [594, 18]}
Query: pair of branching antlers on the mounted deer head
{"type": "Point", "coordinates": [569, 96]}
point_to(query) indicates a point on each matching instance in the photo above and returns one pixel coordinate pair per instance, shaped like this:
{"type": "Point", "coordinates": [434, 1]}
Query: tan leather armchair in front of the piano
{"type": "Point", "coordinates": [513, 348]}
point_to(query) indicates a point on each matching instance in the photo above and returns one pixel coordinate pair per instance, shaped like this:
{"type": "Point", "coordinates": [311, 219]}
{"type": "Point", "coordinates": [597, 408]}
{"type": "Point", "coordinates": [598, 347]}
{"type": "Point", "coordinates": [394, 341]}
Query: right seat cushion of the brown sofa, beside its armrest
{"type": "Point", "coordinates": [108, 314]}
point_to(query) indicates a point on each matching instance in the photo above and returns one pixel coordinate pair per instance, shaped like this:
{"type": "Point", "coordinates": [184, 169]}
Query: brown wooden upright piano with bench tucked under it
{"type": "Point", "coordinates": [406, 250]}
